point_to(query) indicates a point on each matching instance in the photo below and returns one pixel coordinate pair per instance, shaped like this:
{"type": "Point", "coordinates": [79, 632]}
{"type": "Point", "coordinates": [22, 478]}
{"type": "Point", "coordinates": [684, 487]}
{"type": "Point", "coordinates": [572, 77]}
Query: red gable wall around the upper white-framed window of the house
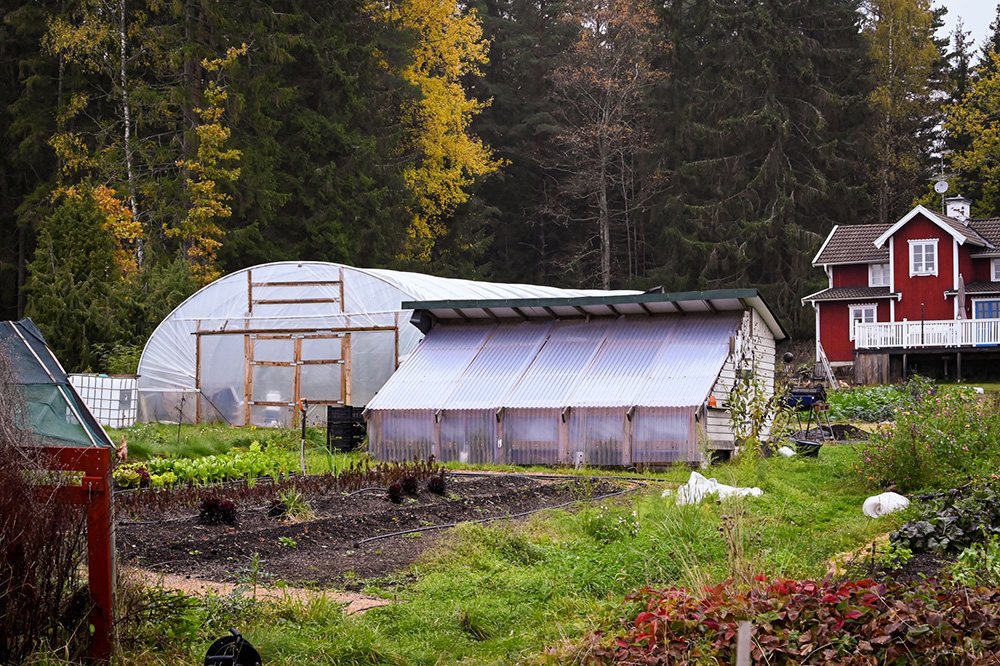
{"type": "Point", "coordinates": [928, 290]}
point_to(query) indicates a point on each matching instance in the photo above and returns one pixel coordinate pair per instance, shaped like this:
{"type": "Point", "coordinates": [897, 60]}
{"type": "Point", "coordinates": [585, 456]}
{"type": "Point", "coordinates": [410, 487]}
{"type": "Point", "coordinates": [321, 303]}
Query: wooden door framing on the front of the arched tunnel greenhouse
{"type": "Point", "coordinates": [297, 335]}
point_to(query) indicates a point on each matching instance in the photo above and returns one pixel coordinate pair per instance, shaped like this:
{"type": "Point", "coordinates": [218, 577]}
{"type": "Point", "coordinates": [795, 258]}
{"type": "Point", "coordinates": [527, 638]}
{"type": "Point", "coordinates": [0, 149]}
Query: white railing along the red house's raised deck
{"type": "Point", "coordinates": [917, 334]}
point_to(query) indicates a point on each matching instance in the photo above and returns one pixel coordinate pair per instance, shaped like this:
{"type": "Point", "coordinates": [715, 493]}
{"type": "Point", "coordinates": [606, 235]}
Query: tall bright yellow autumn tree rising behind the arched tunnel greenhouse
{"type": "Point", "coordinates": [449, 45]}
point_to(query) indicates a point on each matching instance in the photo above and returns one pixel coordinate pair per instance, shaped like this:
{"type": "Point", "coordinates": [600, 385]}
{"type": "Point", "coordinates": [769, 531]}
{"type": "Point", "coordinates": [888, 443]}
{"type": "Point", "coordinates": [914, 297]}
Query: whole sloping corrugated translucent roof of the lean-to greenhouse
{"type": "Point", "coordinates": [647, 362]}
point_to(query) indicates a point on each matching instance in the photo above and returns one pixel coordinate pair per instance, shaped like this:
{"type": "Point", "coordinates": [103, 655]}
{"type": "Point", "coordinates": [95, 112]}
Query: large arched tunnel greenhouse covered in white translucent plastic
{"type": "Point", "coordinates": [249, 347]}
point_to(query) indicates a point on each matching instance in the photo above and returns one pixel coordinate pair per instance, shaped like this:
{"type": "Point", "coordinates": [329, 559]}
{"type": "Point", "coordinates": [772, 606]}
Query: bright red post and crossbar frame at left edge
{"type": "Point", "coordinates": [94, 492]}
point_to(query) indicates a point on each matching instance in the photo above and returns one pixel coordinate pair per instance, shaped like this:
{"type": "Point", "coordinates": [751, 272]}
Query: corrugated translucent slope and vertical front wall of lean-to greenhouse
{"type": "Point", "coordinates": [605, 391]}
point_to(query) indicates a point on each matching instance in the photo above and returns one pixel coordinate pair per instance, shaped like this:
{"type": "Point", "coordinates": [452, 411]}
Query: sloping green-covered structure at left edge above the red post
{"type": "Point", "coordinates": [56, 414]}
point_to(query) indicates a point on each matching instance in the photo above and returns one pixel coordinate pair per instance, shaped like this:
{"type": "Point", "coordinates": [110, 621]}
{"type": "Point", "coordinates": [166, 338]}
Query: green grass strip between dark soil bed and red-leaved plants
{"type": "Point", "coordinates": [502, 594]}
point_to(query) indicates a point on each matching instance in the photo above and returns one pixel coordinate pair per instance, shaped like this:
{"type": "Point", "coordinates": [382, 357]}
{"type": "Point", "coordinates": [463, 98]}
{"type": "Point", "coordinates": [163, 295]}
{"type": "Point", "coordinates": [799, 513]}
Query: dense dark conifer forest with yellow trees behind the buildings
{"type": "Point", "coordinates": [149, 146]}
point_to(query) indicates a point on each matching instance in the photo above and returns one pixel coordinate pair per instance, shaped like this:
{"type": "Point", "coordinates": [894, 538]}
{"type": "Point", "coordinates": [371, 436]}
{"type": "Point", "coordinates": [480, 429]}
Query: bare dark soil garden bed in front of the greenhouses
{"type": "Point", "coordinates": [325, 550]}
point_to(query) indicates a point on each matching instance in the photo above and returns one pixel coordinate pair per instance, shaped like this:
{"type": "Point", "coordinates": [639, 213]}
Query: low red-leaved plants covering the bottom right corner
{"type": "Point", "coordinates": [808, 622]}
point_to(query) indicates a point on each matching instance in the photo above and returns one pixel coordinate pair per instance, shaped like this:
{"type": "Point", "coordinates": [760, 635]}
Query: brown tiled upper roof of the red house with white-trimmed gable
{"type": "Point", "coordinates": [866, 243]}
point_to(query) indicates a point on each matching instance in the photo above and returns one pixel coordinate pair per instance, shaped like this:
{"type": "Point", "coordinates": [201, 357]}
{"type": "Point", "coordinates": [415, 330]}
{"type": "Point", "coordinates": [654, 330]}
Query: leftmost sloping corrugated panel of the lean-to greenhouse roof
{"type": "Point", "coordinates": [427, 379]}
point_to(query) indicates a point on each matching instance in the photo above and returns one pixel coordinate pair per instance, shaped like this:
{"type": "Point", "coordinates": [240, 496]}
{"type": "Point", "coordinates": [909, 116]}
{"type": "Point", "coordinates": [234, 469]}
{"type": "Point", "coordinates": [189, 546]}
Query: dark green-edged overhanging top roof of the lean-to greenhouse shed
{"type": "Point", "coordinates": [610, 305]}
